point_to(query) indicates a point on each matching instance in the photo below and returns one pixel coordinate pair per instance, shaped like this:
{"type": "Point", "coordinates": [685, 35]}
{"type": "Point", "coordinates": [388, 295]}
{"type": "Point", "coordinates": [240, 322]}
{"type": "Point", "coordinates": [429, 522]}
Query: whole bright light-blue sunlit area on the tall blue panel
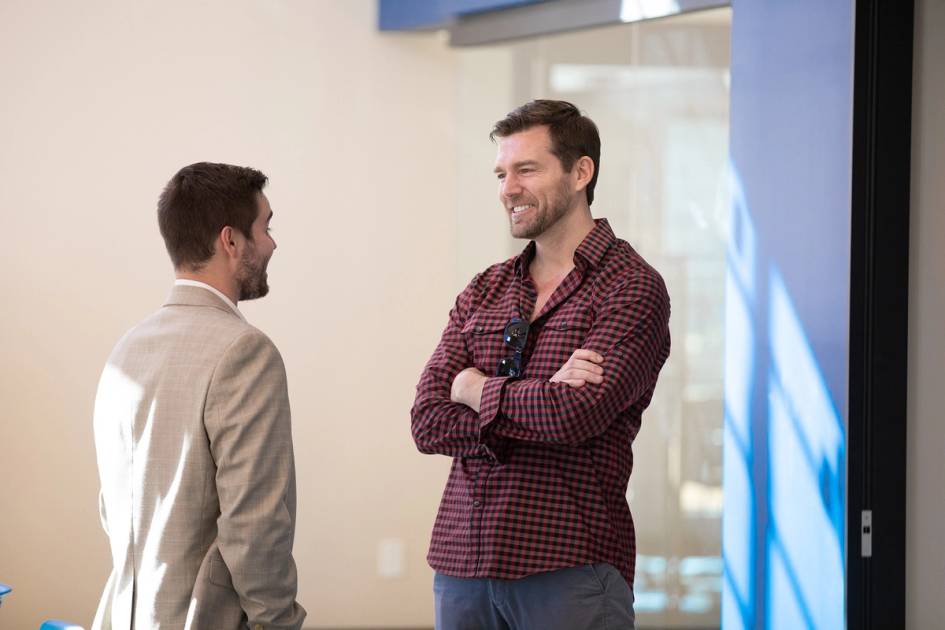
{"type": "Point", "coordinates": [801, 533]}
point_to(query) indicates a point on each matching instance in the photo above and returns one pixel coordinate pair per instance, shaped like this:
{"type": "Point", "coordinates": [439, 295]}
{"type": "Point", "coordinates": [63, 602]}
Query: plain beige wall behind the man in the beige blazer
{"type": "Point", "coordinates": [102, 102]}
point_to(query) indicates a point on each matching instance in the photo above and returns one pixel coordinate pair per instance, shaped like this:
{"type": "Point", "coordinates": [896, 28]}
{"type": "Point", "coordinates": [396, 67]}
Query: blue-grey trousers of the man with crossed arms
{"type": "Point", "coordinates": [588, 597]}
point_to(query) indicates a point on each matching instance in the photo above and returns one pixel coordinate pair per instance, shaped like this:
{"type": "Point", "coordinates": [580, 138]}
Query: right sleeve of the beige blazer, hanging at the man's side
{"type": "Point", "coordinates": [248, 424]}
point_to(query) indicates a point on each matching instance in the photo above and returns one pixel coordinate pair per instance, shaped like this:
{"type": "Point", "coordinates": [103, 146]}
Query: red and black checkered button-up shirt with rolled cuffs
{"type": "Point", "coordinates": [539, 476]}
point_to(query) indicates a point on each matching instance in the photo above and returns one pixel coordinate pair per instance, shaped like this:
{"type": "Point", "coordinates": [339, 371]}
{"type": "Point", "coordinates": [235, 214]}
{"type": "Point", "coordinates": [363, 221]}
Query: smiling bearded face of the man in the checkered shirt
{"type": "Point", "coordinates": [533, 187]}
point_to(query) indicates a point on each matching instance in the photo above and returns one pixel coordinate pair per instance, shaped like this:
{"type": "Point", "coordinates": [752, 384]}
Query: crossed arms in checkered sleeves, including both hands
{"type": "Point", "coordinates": [459, 409]}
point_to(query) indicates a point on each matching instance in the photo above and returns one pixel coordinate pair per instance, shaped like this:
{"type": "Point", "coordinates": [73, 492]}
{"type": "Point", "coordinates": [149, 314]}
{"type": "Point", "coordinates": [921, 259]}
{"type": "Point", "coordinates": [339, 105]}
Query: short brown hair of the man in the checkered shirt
{"type": "Point", "coordinates": [573, 135]}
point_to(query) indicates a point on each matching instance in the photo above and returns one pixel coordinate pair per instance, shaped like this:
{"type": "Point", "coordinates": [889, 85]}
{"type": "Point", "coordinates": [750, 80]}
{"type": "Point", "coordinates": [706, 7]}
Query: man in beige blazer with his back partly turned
{"type": "Point", "coordinates": [192, 430]}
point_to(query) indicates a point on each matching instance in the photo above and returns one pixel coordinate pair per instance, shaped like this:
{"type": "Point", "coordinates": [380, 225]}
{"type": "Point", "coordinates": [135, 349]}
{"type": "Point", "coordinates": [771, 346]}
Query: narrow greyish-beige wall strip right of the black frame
{"type": "Point", "coordinates": [925, 498]}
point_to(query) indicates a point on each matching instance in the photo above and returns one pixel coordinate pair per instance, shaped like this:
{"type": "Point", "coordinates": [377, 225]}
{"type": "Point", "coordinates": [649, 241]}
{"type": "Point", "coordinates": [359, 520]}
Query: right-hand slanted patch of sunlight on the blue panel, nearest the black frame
{"type": "Point", "coordinates": [806, 478]}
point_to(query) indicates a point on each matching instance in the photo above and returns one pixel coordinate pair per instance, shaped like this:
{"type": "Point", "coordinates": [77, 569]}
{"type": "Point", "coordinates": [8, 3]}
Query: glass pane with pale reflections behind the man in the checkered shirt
{"type": "Point", "coordinates": [658, 90]}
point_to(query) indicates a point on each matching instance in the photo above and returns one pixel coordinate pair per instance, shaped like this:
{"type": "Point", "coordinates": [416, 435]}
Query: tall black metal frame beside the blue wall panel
{"type": "Point", "coordinates": [879, 297]}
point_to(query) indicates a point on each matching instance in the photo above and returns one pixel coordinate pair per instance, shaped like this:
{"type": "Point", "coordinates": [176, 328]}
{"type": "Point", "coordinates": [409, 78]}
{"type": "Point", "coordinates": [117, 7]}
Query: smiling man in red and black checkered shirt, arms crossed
{"type": "Point", "coordinates": [536, 391]}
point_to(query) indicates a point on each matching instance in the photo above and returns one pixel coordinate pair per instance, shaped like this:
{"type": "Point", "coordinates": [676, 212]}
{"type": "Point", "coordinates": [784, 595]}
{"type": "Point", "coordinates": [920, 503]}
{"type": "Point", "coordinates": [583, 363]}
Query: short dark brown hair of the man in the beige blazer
{"type": "Point", "coordinates": [199, 201]}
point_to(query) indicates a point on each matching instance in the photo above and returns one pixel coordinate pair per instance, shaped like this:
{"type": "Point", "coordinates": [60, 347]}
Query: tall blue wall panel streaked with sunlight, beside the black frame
{"type": "Point", "coordinates": [787, 313]}
